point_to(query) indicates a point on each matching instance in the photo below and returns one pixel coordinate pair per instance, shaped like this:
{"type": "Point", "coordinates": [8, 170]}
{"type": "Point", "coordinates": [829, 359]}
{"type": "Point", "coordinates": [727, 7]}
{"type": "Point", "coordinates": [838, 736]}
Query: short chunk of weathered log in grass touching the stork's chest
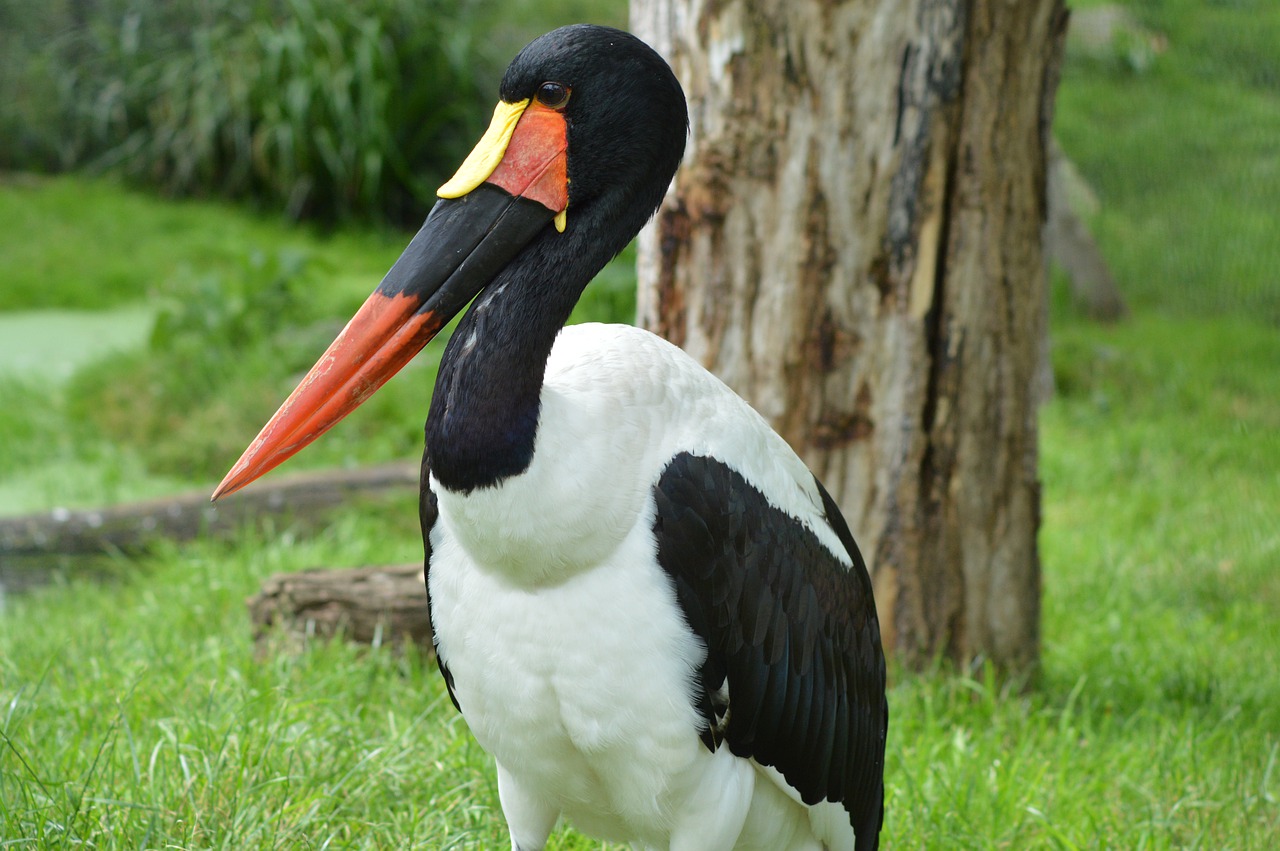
{"type": "Point", "coordinates": [378, 606]}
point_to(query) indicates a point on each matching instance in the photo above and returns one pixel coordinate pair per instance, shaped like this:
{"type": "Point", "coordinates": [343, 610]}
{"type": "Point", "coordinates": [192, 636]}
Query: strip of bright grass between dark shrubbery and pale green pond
{"type": "Point", "coordinates": [85, 245]}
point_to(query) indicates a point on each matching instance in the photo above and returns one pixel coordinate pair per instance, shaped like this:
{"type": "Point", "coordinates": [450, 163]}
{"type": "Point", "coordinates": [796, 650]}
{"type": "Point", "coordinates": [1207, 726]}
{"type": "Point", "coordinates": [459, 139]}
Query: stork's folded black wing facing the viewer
{"type": "Point", "coordinates": [789, 628]}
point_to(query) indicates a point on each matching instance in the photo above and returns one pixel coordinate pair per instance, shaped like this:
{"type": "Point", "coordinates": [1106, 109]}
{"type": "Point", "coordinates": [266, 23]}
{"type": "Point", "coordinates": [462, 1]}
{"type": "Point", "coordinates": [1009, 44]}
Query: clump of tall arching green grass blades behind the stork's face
{"type": "Point", "coordinates": [328, 109]}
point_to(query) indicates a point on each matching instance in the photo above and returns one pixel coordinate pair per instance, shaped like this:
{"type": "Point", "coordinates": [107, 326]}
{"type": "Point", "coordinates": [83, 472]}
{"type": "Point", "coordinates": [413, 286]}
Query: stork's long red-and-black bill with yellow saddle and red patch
{"type": "Point", "coordinates": [508, 191]}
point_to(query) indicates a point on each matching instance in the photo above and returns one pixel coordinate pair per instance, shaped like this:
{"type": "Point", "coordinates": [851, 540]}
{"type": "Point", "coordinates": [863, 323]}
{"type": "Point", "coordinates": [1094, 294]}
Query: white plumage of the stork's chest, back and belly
{"type": "Point", "coordinates": [572, 660]}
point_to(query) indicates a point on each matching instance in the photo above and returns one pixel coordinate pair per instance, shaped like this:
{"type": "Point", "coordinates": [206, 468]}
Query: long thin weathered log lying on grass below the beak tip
{"type": "Point", "coordinates": [305, 497]}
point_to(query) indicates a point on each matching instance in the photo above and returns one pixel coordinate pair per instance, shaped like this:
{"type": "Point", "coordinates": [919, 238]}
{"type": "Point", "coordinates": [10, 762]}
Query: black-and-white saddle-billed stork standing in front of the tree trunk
{"type": "Point", "coordinates": [647, 608]}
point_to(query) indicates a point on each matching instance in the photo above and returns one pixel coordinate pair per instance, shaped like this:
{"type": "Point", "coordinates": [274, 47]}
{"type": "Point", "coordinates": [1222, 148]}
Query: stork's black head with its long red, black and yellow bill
{"type": "Point", "coordinates": [587, 136]}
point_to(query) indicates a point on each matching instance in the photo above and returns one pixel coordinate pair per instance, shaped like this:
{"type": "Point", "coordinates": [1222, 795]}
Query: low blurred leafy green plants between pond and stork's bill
{"type": "Point", "coordinates": [223, 351]}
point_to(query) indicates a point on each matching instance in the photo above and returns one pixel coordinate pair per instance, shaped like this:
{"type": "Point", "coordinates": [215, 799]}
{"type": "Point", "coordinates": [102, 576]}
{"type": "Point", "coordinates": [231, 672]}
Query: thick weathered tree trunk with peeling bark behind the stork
{"type": "Point", "coordinates": [853, 244]}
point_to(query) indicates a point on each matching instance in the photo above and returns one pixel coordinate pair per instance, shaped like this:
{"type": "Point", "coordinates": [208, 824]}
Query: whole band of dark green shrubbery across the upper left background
{"type": "Point", "coordinates": [328, 109]}
